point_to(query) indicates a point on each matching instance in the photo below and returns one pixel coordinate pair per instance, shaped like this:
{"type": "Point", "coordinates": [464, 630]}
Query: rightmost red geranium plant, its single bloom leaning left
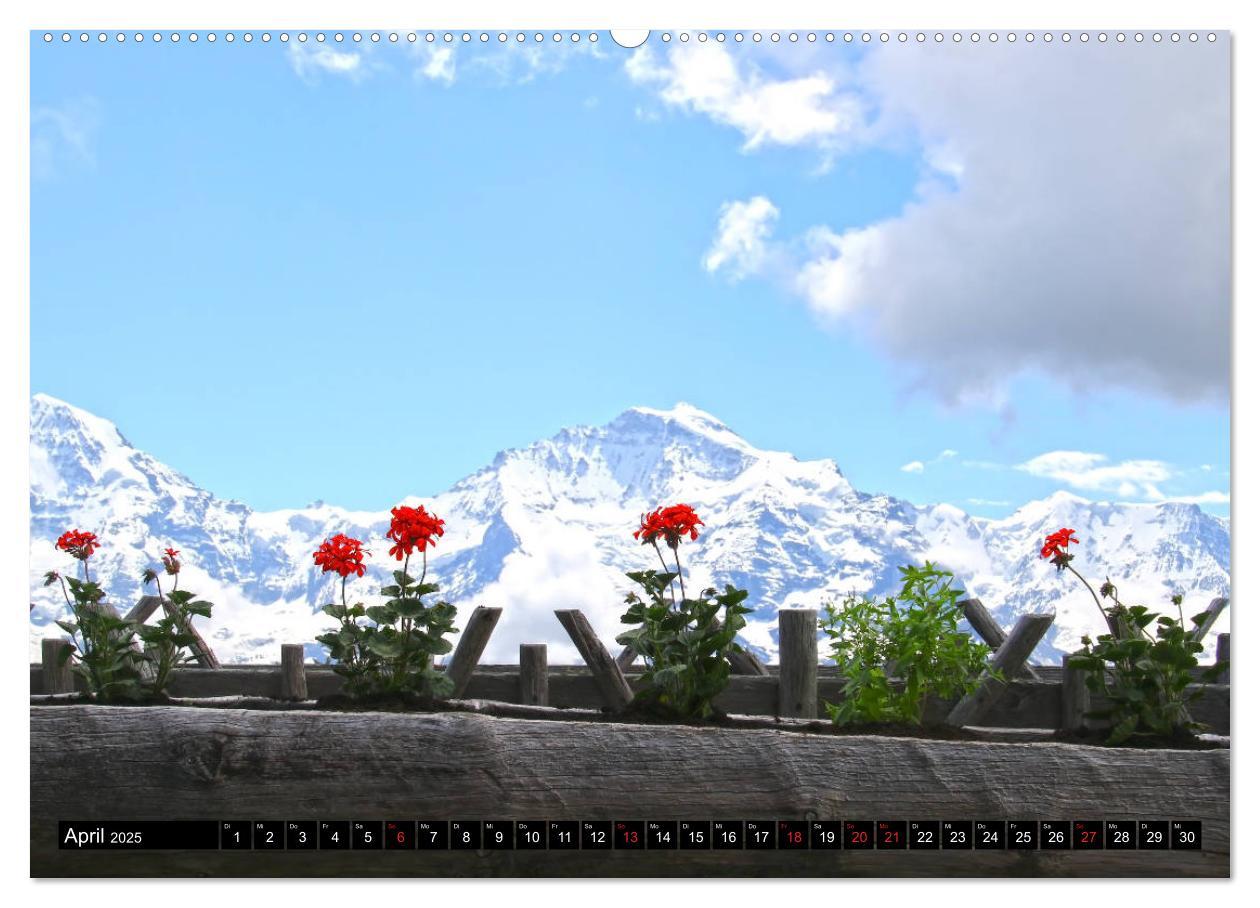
{"type": "Point", "coordinates": [1146, 678]}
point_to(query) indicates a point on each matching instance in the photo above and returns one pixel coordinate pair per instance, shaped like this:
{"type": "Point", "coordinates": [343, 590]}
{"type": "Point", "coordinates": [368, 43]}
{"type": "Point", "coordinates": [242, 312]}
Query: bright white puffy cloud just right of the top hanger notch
{"type": "Point", "coordinates": [706, 79]}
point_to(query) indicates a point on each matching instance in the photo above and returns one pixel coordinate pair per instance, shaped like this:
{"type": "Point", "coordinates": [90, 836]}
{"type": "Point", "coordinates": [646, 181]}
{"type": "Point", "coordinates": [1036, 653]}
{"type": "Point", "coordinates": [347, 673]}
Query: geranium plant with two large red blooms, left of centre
{"type": "Point", "coordinates": [392, 655]}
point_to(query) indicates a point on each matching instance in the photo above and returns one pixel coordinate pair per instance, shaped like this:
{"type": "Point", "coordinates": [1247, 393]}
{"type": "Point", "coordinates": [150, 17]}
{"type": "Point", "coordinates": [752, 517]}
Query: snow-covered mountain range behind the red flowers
{"type": "Point", "coordinates": [549, 527]}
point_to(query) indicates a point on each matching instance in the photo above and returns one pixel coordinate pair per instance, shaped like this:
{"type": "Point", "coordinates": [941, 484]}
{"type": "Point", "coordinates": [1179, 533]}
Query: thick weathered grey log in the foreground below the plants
{"type": "Point", "coordinates": [162, 763]}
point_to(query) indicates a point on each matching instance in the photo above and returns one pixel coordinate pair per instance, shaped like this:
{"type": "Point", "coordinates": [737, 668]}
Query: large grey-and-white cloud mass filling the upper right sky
{"type": "Point", "coordinates": [1072, 217]}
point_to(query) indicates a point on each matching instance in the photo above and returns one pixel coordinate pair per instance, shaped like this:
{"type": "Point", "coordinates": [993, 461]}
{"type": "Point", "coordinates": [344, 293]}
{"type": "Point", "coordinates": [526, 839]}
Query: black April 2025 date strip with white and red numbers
{"type": "Point", "coordinates": [631, 836]}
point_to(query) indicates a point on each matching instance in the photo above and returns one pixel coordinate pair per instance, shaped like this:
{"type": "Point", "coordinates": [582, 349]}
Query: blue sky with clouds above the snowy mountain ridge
{"type": "Point", "coordinates": [356, 273]}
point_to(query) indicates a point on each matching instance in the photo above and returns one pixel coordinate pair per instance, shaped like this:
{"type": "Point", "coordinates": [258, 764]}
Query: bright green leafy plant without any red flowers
{"type": "Point", "coordinates": [896, 653]}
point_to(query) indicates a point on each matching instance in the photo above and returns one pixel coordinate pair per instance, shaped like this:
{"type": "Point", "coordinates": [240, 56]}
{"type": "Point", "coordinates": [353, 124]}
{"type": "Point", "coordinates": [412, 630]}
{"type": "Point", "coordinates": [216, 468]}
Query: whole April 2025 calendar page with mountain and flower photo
{"type": "Point", "coordinates": [568, 451]}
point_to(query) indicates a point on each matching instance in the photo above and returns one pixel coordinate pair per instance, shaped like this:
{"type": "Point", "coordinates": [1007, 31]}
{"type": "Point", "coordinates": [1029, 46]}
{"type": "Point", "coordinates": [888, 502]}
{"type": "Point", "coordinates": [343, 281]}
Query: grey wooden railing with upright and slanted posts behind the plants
{"type": "Point", "coordinates": [1034, 697]}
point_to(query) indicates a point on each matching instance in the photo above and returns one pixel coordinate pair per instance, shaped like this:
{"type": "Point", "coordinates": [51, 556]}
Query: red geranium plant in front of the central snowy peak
{"type": "Point", "coordinates": [684, 642]}
